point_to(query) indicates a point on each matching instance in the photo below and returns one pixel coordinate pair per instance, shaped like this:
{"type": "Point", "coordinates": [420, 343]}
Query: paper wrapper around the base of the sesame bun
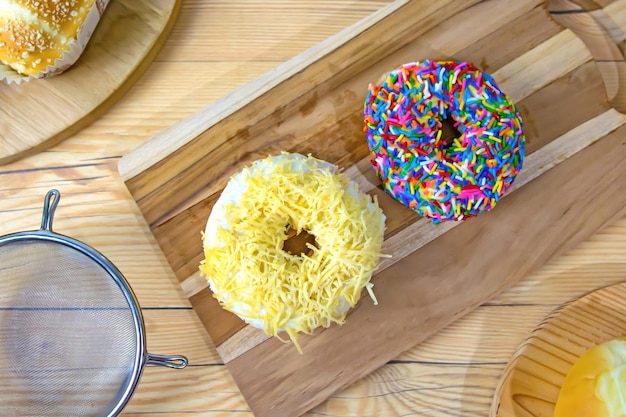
{"type": "Point", "coordinates": [69, 57]}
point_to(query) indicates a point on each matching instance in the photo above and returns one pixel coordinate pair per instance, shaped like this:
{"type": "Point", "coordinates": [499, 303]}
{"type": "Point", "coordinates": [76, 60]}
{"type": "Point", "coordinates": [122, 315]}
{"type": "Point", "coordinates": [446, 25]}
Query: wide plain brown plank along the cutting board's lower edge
{"type": "Point", "coordinates": [417, 305]}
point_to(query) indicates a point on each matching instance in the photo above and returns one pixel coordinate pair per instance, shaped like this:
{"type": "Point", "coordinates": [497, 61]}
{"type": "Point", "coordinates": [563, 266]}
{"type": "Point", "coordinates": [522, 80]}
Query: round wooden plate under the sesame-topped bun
{"type": "Point", "coordinates": [41, 113]}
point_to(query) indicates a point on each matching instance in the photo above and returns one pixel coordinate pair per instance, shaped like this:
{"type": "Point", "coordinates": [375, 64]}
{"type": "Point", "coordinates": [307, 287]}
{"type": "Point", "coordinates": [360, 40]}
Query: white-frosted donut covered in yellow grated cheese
{"type": "Point", "coordinates": [252, 275]}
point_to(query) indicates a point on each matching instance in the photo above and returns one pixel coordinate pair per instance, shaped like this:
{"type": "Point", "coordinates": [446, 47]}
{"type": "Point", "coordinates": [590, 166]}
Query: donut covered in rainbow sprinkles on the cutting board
{"type": "Point", "coordinates": [404, 117]}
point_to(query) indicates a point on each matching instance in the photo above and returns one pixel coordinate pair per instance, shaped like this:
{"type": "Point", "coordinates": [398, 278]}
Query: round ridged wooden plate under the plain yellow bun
{"type": "Point", "coordinates": [531, 382]}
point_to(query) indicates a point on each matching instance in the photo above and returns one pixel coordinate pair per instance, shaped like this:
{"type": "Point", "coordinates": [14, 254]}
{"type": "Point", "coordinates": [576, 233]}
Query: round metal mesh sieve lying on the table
{"type": "Point", "coordinates": [72, 339]}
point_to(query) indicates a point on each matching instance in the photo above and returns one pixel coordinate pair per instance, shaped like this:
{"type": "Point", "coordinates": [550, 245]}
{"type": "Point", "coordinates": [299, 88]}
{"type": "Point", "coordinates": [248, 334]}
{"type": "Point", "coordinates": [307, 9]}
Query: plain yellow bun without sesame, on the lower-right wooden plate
{"type": "Point", "coordinates": [595, 386]}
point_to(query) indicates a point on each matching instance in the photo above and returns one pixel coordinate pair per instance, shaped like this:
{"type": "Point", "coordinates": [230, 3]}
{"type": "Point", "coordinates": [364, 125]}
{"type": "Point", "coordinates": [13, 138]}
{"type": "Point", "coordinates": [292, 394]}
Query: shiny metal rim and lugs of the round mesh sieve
{"type": "Point", "coordinates": [141, 355]}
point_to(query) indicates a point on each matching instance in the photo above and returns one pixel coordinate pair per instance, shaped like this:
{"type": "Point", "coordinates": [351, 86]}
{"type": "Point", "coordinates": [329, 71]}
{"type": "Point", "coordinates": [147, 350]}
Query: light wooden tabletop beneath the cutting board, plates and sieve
{"type": "Point", "coordinates": [217, 46]}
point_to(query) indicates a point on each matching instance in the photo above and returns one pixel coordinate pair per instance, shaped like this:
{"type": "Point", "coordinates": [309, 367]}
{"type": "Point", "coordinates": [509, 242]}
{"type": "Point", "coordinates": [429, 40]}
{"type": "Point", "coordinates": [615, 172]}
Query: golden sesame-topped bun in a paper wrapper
{"type": "Point", "coordinates": [34, 33]}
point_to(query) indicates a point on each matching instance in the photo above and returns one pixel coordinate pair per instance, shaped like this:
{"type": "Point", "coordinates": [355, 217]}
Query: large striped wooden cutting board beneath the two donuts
{"type": "Point", "coordinates": [571, 185]}
